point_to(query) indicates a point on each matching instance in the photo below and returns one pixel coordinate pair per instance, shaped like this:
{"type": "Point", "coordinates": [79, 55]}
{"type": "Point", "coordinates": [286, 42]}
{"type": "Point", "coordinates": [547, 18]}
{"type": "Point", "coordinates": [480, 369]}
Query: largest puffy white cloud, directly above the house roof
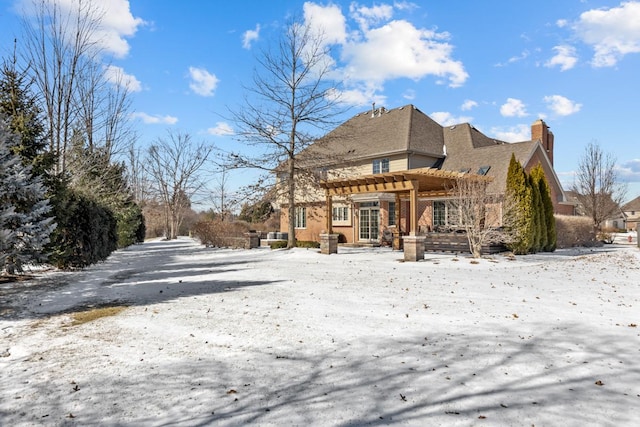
{"type": "Point", "coordinates": [377, 49]}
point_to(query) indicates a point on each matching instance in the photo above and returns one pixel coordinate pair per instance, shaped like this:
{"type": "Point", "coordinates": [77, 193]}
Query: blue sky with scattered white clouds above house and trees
{"type": "Point", "coordinates": [499, 65]}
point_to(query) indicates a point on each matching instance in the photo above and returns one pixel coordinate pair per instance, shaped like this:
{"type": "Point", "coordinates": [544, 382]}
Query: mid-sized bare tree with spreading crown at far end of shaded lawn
{"type": "Point", "coordinates": [173, 164]}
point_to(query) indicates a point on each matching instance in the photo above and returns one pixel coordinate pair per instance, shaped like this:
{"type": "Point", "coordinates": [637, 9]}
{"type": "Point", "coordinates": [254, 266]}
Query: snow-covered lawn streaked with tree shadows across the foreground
{"type": "Point", "coordinates": [236, 337]}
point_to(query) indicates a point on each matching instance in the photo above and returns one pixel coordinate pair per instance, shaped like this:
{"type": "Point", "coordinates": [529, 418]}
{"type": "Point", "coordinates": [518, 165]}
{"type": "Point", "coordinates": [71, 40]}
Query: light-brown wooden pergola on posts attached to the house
{"type": "Point", "coordinates": [412, 184]}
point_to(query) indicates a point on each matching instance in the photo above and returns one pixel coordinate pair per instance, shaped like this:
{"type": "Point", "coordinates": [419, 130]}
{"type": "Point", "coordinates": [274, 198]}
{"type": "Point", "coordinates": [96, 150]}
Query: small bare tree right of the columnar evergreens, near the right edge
{"type": "Point", "coordinates": [597, 186]}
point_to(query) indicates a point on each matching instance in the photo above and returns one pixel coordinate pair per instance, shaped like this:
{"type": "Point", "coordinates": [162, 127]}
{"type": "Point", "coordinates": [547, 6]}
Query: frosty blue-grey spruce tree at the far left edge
{"type": "Point", "coordinates": [25, 224]}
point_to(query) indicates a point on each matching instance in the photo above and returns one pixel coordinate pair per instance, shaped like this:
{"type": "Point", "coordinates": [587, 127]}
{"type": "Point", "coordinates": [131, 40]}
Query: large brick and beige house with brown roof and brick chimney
{"type": "Point", "coordinates": [383, 149]}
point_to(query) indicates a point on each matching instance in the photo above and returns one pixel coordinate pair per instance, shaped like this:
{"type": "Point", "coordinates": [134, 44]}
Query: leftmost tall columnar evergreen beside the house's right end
{"type": "Point", "coordinates": [517, 217]}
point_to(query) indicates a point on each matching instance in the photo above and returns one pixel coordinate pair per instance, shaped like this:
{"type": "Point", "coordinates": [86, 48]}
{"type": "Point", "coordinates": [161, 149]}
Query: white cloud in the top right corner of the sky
{"type": "Point", "coordinates": [613, 33]}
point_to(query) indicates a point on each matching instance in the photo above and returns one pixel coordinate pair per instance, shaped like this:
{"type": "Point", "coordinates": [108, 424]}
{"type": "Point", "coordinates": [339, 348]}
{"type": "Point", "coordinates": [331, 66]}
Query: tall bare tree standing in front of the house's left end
{"type": "Point", "coordinates": [291, 99]}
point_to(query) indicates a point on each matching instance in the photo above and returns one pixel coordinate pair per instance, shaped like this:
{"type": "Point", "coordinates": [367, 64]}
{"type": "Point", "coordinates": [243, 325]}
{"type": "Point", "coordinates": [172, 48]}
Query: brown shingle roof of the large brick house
{"type": "Point", "coordinates": [407, 129]}
